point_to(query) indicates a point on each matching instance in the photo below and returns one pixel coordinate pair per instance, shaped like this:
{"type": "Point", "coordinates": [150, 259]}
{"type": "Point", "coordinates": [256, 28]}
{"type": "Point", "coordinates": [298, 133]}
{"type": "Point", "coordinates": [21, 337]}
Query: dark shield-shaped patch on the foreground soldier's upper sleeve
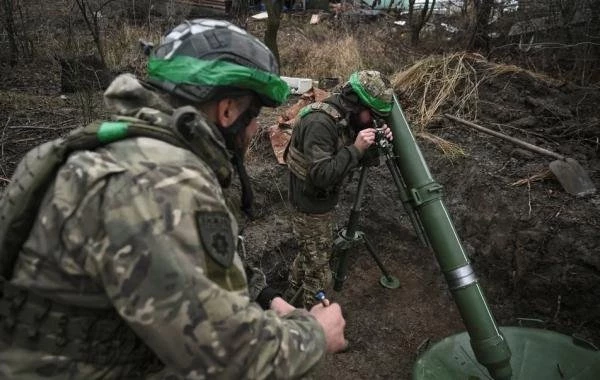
{"type": "Point", "coordinates": [214, 229]}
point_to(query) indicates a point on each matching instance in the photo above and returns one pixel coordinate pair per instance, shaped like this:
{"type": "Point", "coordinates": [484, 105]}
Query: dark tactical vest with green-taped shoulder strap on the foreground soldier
{"type": "Point", "coordinates": [97, 336]}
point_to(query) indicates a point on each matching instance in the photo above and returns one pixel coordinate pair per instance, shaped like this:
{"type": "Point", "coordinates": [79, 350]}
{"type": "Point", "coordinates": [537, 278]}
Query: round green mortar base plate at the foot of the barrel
{"type": "Point", "coordinates": [536, 355]}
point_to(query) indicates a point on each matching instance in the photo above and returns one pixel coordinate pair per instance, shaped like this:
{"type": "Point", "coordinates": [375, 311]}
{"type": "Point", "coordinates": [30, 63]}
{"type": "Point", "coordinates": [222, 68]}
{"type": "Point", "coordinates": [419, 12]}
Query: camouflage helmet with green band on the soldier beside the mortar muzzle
{"type": "Point", "coordinates": [373, 89]}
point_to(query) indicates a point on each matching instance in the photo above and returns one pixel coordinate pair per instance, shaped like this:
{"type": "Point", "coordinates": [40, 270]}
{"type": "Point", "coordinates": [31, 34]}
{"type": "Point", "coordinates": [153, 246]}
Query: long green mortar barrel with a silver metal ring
{"type": "Point", "coordinates": [487, 342]}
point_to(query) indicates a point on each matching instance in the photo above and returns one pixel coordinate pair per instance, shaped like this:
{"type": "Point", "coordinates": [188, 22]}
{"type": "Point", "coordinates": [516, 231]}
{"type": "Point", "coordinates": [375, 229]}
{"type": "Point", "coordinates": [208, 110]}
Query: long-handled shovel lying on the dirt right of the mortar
{"type": "Point", "coordinates": [567, 171]}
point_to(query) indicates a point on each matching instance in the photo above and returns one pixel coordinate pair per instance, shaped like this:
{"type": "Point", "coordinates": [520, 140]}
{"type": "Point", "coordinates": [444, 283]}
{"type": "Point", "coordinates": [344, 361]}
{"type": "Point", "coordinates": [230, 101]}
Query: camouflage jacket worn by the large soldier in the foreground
{"type": "Point", "coordinates": [142, 226]}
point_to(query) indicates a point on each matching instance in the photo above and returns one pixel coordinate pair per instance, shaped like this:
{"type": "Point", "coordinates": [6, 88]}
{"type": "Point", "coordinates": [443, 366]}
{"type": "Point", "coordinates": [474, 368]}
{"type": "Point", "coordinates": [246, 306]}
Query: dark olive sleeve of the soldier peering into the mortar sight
{"type": "Point", "coordinates": [328, 165]}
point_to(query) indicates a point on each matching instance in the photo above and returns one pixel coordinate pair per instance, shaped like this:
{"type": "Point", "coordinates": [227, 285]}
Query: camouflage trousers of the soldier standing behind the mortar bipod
{"type": "Point", "coordinates": [310, 271]}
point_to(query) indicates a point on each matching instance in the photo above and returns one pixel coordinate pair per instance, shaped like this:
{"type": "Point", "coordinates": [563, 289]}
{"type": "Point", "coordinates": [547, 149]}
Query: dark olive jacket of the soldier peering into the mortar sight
{"type": "Point", "coordinates": [330, 157]}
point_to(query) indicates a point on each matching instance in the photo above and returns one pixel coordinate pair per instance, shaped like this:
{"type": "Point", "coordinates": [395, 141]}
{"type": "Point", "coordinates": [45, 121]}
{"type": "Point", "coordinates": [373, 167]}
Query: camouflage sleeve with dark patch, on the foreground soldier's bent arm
{"type": "Point", "coordinates": [167, 261]}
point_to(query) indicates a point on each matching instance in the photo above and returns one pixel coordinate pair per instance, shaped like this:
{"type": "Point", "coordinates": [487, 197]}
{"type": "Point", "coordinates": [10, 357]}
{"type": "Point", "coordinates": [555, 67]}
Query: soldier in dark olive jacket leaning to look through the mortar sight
{"type": "Point", "coordinates": [329, 141]}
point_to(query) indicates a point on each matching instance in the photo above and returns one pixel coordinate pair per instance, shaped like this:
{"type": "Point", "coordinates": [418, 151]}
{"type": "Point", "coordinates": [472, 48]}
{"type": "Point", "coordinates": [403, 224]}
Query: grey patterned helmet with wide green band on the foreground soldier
{"type": "Point", "coordinates": [202, 59]}
